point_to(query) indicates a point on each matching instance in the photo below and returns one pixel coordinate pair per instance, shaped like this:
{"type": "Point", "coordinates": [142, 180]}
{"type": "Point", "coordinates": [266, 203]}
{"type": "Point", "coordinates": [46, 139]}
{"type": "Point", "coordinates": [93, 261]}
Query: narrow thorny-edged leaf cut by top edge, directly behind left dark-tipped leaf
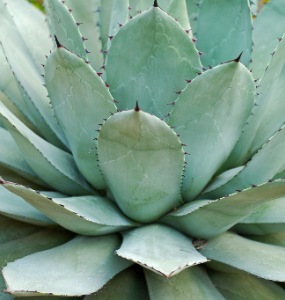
{"type": "Point", "coordinates": [64, 27]}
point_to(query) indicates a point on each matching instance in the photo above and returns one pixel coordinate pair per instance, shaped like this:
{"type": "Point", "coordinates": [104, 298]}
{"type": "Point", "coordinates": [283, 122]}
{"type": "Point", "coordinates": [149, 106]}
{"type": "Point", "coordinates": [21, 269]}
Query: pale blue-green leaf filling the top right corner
{"type": "Point", "coordinates": [266, 36]}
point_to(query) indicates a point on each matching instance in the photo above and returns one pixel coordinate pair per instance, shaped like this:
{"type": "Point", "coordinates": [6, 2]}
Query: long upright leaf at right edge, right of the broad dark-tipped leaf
{"type": "Point", "coordinates": [262, 125]}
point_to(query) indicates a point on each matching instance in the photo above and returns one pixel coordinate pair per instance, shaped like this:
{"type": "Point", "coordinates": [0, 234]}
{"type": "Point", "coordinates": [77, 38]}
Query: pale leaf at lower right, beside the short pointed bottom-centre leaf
{"type": "Point", "coordinates": [263, 260]}
